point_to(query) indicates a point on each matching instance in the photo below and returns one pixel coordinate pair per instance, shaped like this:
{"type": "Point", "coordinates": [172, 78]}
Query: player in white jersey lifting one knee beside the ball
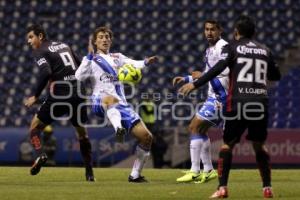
{"type": "Point", "coordinates": [108, 94]}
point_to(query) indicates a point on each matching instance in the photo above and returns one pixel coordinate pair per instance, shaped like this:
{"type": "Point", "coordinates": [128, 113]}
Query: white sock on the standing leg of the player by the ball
{"type": "Point", "coordinates": [142, 155]}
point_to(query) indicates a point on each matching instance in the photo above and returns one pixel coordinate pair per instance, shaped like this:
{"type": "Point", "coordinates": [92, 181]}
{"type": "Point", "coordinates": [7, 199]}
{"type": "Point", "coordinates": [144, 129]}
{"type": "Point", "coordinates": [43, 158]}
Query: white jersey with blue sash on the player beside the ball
{"type": "Point", "coordinates": [102, 71]}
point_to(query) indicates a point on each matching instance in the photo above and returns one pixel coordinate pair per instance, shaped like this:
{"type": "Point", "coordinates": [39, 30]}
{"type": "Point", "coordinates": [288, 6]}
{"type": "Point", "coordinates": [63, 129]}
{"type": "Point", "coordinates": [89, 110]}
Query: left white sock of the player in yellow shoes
{"type": "Point", "coordinates": [195, 148]}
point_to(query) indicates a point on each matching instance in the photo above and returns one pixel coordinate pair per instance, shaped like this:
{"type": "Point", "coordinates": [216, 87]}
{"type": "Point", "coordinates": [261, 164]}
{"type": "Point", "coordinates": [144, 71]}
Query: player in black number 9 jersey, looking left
{"type": "Point", "coordinates": [57, 63]}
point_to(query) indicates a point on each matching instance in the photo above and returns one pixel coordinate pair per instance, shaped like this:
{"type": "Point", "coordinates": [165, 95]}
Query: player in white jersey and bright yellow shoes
{"type": "Point", "coordinates": [208, 115]}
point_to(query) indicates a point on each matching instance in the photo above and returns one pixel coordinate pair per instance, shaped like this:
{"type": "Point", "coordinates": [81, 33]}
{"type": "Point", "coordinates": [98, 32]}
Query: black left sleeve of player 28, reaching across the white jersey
{"type": "Point", "coordinates": [225, 58]}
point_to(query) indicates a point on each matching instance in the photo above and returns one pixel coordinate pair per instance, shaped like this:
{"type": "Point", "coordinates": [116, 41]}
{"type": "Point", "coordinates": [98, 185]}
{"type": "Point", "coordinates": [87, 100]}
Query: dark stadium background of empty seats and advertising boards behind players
{"type": "Point", "coordinates": [171, 29]}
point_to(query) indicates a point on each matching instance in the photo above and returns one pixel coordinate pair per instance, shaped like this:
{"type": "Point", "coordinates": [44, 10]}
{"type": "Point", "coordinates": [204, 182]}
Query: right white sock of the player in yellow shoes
{"type": "Point", "coordinates": [205, 155]}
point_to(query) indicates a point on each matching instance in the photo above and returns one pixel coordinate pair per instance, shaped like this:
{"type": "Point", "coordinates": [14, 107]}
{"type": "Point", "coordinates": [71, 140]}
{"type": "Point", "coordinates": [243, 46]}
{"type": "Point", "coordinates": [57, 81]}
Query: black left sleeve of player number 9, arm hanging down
{"type": "Point", "coordinates": [44, 72]}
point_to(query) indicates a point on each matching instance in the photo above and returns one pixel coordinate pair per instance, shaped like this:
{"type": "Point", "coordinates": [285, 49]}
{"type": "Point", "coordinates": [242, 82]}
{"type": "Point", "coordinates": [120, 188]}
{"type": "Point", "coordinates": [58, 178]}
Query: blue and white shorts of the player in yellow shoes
{"type": "Point", "coordinates": [211, 110]}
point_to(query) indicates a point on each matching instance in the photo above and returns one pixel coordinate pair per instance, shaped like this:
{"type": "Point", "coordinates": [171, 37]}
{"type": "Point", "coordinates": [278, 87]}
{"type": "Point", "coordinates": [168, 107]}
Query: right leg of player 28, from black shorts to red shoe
{"type": "Point", "coordinates": [257, 133]}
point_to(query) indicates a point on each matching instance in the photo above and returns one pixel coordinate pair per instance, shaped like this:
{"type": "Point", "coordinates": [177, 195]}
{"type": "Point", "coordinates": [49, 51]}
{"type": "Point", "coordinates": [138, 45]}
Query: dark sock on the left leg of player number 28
{"type": "Point", "coordinates": [224, 165]}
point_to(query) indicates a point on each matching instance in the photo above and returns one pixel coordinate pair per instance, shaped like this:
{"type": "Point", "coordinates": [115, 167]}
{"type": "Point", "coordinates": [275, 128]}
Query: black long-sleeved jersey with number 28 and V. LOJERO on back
{"type": "Point", "coordinates": [251, 64]}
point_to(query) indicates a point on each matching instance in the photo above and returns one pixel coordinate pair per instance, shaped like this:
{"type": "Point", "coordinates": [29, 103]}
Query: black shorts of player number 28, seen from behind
{"type": "Point", "coordinates": [257, 127]}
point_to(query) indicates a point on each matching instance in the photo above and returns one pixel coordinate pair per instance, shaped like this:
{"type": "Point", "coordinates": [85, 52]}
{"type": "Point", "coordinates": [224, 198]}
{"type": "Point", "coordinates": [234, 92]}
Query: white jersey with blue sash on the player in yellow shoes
{"type": "Point", "coordinates": [218, 87]}
